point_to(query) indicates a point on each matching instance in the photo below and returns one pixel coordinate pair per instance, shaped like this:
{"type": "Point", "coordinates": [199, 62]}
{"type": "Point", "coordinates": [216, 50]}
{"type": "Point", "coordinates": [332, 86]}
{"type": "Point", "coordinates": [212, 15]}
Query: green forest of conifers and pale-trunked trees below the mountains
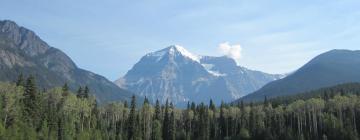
{"type": "Point", "coordinates": [28, 113]}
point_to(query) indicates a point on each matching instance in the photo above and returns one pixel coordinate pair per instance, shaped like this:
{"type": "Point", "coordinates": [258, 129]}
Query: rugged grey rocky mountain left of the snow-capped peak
{"type": "Point", "coordinates": [22, 51]}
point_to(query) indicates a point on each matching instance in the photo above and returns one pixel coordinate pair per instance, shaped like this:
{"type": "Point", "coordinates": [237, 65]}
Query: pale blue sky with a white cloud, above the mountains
{"type": "Point", "coordinates": [109, 36]}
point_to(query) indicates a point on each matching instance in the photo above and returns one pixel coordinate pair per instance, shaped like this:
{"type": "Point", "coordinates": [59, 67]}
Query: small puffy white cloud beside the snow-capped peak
{"type": "Point", "coordinates": [232, 51]}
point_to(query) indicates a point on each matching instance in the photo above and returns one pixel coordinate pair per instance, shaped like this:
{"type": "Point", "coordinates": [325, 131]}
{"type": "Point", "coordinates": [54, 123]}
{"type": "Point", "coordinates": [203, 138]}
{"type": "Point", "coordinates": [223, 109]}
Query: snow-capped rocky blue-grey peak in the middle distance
{"type": "Point", "coordinates": [176, 74]}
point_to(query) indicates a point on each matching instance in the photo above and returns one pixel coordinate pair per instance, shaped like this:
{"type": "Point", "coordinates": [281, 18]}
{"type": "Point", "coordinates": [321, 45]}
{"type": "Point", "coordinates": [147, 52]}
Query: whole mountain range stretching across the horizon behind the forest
{"type": "Point", "coordinates": [173, 73]}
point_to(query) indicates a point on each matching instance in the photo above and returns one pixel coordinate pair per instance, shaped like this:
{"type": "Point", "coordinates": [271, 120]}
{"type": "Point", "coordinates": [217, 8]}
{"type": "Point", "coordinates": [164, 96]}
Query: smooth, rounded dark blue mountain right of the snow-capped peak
{"type": "Point", "coordinates": [328, 69]}
